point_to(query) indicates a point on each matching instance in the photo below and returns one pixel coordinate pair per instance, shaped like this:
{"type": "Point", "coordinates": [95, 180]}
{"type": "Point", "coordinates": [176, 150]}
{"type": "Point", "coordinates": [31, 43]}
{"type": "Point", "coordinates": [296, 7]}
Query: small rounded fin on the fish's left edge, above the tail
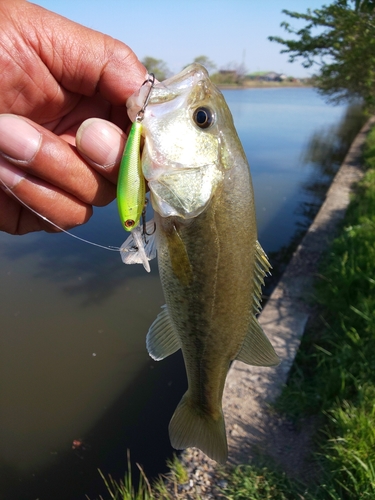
{"type": "Point", "coordinates": [162, 339]}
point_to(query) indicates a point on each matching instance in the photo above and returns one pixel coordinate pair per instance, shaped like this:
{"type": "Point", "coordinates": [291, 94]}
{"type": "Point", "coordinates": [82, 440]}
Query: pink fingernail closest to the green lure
{"type": "Point", "coordinates": [100, 141]}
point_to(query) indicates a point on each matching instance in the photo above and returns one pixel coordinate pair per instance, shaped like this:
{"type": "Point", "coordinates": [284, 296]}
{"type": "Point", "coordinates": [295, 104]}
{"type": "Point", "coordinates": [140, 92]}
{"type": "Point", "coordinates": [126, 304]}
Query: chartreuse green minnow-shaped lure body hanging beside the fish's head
{"type": "Point", "coordinates": [131, 188]}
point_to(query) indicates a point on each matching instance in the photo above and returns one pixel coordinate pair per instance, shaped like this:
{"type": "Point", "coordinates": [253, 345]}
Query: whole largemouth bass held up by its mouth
{"type": "Point", "coordinates": [210, 262]}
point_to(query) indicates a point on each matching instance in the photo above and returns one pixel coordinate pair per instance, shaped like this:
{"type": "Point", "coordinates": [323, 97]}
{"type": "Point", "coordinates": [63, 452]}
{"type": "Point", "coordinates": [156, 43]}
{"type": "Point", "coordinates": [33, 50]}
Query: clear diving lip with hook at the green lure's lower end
{"type": "Point", "coordinates": [139, 248]}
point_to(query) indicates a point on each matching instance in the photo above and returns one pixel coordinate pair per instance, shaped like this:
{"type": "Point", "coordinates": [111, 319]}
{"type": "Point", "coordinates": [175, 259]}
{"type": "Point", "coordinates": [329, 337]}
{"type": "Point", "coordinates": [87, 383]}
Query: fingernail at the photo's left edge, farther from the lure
{"type": "Point", "coordinates": [19, 140]}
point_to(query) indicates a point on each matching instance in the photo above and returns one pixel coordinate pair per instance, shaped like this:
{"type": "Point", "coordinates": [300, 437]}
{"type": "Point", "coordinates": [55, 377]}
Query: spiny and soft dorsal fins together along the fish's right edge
{"type": "Point", "coordinates": [256, 349]}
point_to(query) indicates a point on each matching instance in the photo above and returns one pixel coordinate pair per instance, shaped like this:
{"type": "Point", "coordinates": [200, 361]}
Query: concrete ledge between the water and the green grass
{"type": "Point", "coordinates": [249, 390]}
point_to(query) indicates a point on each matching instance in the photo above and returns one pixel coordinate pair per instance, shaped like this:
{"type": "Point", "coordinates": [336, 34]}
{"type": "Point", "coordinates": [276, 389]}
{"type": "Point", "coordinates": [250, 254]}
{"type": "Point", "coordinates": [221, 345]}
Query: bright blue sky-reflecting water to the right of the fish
{"type": "Point", "coordinates": [275, 126]}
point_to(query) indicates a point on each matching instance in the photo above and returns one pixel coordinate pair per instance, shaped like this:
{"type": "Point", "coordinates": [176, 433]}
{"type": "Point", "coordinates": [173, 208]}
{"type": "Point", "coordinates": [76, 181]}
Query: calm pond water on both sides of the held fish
{"type": "Point", "coordinates": [77, 387]}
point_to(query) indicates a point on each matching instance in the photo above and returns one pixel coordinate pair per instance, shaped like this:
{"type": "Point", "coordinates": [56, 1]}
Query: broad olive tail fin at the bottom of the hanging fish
{"type": "Point", "coordinates": [189, 427]}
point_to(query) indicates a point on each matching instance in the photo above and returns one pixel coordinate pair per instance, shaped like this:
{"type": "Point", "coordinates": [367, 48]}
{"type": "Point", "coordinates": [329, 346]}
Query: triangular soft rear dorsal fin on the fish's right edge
{"type": "Point", "coordinates": [256, 349]}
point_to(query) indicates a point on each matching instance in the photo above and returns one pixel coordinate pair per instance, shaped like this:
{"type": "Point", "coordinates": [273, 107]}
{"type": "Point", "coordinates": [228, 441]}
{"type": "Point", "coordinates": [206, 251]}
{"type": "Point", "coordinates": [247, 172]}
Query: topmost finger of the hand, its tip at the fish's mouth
{"type": "Point", "coordinates": [82, 60]}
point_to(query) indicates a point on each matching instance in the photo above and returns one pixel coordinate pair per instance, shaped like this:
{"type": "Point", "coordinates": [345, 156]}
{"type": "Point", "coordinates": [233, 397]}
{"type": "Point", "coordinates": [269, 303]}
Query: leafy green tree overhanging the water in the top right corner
{"type": "Point", "coordinates": [343, 48]}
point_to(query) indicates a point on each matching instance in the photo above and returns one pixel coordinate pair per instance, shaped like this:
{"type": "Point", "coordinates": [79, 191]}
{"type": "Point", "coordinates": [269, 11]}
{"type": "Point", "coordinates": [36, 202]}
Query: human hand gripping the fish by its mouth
{"type": "Point", "coordinates": [55, 74]}
